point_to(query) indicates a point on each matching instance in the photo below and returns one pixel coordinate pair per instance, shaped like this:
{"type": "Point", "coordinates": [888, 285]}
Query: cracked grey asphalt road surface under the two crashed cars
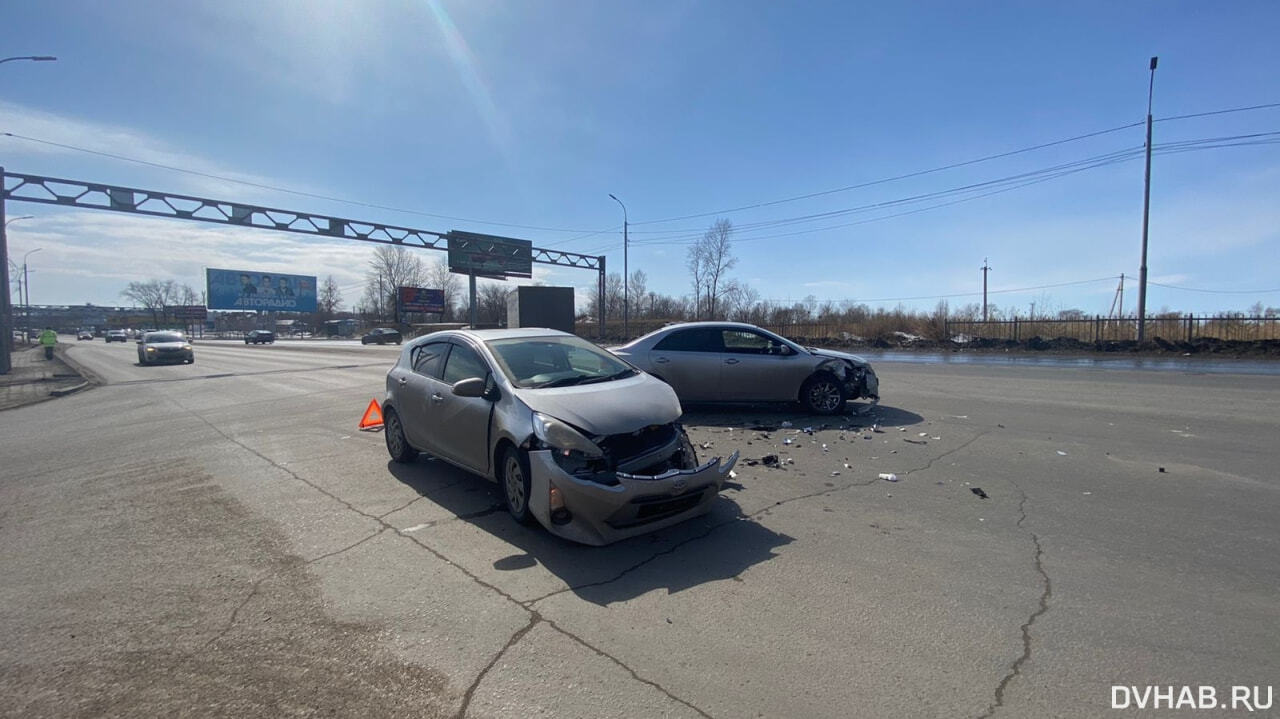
{"type": "Point", "coordinates": [218, 539]}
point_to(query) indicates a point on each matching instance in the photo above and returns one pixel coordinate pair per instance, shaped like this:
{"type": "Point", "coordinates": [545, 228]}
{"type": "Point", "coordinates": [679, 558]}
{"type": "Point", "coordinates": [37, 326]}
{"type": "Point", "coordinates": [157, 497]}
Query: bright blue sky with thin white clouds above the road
{"type": "Point", "coordinates": [491, 115]}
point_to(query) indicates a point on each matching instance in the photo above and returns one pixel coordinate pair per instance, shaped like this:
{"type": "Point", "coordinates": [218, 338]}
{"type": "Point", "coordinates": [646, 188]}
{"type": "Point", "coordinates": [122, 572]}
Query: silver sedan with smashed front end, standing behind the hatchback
{"type": "Point", "coordinates": [739, 363]}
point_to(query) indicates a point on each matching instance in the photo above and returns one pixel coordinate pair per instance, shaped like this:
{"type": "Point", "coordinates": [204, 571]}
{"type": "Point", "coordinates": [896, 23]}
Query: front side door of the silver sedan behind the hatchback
{"type": "Point", "coordinates": [760, 369]}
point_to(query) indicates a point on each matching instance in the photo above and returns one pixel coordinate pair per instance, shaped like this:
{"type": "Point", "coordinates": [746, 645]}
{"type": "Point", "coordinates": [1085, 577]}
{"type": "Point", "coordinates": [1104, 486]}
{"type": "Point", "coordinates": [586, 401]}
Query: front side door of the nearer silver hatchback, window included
{"type": "Point", "coordinates": [463, 423]}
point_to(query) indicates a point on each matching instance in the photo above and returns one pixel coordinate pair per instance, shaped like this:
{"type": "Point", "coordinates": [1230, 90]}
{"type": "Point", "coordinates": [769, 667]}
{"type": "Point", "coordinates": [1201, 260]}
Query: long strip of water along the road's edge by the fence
{"type": "Point", "coordinates": [1186, 365]}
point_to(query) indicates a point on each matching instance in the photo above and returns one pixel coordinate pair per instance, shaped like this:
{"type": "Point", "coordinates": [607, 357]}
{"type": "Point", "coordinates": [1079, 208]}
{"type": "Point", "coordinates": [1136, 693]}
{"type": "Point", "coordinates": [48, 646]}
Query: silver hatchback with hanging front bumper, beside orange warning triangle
{"type": "Point", "coordinates": [579, 441]}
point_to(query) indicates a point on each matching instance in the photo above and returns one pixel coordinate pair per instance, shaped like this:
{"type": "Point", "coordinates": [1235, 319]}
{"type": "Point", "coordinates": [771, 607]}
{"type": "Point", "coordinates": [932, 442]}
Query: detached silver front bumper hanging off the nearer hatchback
{"type": "Point", "coordinates": [598, 514]}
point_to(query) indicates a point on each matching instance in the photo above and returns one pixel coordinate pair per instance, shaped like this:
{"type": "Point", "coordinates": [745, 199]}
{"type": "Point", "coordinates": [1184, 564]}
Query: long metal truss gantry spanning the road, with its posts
{"type": "Point", "coordinates": [20, 187]}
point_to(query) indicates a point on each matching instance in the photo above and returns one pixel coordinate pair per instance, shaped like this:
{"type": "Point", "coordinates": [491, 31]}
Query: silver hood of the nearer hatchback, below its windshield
{"type": "Point", "coordinates": [609, 409]}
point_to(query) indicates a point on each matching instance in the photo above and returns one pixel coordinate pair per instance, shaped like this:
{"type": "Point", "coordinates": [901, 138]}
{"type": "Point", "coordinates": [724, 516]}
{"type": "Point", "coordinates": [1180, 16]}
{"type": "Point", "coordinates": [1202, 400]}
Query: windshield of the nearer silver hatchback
{"type": "Point", "coordinates": [556, 361]}
